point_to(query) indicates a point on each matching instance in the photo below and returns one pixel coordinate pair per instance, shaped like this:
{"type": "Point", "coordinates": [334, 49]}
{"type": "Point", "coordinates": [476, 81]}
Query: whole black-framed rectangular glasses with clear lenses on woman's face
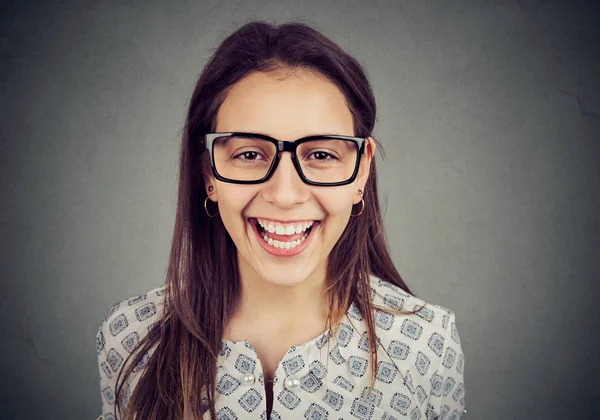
{"type": "Point", "coordinates": [249, 158]}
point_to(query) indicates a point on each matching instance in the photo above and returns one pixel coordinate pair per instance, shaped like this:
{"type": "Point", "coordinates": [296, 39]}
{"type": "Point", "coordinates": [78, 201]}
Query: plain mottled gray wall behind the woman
{"type": "Point", "coordinates": [490, 116]}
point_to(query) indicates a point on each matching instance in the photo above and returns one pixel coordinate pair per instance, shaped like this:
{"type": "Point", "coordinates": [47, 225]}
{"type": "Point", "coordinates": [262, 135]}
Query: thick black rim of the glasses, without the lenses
{"type": "Point", "coordinates": [285, 146]}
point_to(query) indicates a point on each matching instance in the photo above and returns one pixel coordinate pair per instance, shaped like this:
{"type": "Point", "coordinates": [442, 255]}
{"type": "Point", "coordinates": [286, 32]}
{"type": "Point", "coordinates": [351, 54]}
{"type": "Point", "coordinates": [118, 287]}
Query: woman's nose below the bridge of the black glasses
{"type": "Point", "coordinates": [285, 188]}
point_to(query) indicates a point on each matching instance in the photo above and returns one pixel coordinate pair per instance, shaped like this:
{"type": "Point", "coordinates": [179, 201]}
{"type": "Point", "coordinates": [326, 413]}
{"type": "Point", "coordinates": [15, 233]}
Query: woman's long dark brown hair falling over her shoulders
{"type": "Point", "coordinates": [202, 287]}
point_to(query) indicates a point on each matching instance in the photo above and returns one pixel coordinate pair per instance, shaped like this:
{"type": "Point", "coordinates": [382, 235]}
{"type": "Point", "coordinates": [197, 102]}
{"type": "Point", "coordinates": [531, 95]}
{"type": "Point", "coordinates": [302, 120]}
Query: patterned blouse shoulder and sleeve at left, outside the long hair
{"type": "Point", "coordinates": [124, 325]}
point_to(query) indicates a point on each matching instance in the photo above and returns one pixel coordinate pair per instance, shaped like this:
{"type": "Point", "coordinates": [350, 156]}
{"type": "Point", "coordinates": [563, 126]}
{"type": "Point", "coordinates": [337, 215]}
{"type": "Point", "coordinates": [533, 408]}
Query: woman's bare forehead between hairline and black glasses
{"type": "Point", "coordinates": [300, 104]}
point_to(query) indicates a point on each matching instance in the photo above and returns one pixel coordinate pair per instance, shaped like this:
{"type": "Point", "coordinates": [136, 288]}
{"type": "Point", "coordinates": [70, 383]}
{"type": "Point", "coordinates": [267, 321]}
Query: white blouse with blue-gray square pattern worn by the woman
{"type": "Point", "coordinates": [419, 372]}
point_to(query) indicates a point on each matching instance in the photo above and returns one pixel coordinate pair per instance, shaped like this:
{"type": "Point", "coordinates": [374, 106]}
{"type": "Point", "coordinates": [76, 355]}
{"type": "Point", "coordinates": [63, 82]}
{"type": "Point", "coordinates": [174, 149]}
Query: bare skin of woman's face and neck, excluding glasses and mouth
{"type": "Point", "coordinates": [275, 289]}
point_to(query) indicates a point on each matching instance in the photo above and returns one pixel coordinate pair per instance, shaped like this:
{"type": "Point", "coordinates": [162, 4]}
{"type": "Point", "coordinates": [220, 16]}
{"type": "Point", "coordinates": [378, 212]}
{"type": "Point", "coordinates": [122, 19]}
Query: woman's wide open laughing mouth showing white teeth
{"type": "Point", "coordinates": [283, 239]}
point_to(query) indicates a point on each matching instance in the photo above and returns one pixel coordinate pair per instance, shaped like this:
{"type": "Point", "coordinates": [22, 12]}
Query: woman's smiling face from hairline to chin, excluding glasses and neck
{"type": "Point", "coordinates": [298, 105]}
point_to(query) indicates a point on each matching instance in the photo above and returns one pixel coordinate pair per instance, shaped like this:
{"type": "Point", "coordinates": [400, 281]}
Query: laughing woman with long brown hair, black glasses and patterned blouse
{"type": "Point", "coordinates": [281, 299]}
